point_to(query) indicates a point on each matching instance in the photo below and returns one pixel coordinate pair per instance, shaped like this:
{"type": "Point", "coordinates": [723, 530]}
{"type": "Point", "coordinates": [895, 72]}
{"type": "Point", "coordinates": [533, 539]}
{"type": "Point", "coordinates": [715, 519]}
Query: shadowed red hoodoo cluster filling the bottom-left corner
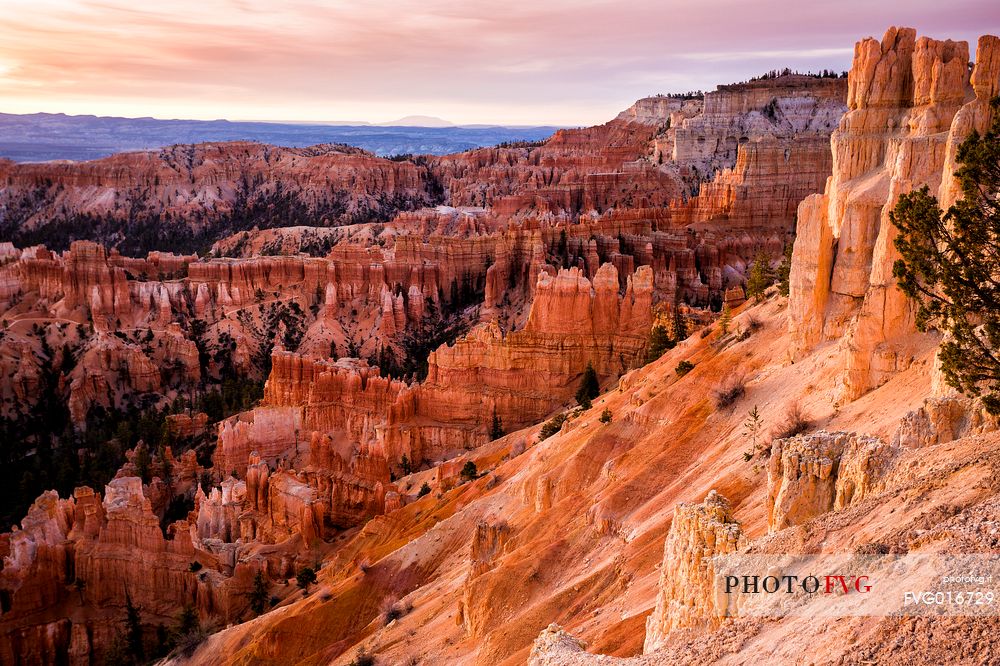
{"type": "Point", "coordinates": [97, 552]}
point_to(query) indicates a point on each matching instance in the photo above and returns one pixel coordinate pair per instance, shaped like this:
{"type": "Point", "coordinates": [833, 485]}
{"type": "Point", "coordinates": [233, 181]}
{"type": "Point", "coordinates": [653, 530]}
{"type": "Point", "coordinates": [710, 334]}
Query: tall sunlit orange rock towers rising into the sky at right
{"type": "Point", "coordinates": [909, 106]}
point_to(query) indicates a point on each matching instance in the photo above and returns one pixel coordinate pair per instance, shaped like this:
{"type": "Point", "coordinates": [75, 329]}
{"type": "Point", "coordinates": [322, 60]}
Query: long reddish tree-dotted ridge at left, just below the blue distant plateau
{"type": "Point", "coordinates": [222, 184]}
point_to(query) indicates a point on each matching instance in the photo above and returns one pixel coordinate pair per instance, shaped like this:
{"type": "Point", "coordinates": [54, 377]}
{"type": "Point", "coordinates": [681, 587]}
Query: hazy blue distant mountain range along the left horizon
{"type": "Point", "coordinates": [46, 136]}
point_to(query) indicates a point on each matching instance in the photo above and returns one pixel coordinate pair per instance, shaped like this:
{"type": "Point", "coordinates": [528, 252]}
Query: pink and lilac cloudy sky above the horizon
{"type": "Point", "coordinates": [534, 62]}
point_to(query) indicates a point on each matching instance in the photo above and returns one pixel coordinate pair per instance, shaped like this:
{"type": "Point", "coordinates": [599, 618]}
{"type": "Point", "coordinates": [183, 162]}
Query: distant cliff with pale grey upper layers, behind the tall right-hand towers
{"type": "Point", "coordinates": [659, 151]}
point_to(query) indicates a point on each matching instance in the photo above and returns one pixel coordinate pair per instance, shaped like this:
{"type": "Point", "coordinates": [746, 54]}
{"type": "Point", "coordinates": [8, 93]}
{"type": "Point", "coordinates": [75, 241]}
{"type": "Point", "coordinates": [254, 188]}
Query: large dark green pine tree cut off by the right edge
{"type": "Point", "coordinates": [948, 264]}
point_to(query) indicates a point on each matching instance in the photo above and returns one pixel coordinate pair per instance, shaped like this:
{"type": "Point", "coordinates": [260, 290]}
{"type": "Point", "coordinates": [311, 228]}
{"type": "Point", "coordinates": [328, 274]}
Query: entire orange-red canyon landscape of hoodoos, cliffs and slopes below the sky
{"type": "Point", "coordinates": [421, 328]}
